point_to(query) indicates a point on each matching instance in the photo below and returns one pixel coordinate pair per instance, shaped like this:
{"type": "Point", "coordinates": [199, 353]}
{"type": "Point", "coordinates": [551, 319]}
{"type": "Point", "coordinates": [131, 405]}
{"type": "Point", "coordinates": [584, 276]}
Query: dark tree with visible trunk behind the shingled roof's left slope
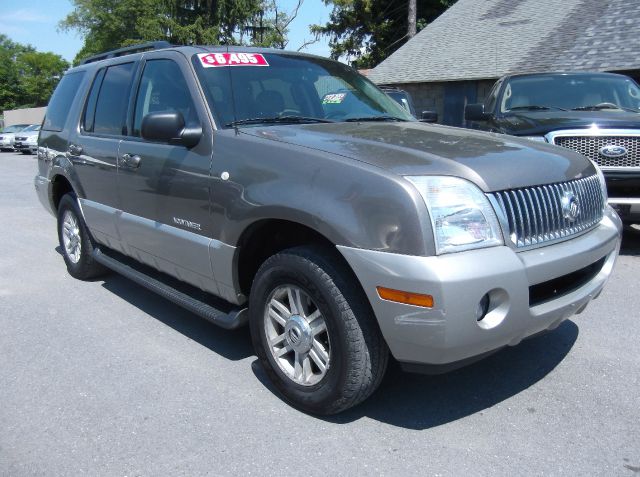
{"type": "Point", "coordinates": [368, 31]}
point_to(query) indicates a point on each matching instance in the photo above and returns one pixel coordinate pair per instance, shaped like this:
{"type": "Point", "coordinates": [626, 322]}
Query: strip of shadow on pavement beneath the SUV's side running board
{"type": "Point", "coordinates": [233, 345]}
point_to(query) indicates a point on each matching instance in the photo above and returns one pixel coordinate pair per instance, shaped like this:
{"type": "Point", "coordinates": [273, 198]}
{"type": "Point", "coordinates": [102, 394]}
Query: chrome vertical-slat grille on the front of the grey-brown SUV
{"type": "Point", "coordinates": [534, 215]}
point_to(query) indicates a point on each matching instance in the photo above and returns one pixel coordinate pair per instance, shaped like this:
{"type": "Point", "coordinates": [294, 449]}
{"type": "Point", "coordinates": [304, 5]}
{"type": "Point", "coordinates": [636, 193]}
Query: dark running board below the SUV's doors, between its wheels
{"type": "Point", "coordinates": [225, 316]}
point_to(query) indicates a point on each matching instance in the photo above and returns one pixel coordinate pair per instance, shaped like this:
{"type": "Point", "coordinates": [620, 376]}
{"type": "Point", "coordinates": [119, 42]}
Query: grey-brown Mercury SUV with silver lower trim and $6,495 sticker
{"type": "Point", "coordinates": [286, 191]}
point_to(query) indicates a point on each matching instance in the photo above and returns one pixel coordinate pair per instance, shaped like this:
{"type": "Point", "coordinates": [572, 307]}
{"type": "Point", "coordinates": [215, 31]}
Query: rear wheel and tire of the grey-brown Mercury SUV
{"type": "Point", "coordinates": [75, 241]}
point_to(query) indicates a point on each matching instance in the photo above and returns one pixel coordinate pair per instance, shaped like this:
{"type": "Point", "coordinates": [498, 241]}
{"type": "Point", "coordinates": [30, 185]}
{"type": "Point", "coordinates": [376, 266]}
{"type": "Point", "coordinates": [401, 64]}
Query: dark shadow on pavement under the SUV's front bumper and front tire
{"type": "Point", "coordinates": [418, 402]}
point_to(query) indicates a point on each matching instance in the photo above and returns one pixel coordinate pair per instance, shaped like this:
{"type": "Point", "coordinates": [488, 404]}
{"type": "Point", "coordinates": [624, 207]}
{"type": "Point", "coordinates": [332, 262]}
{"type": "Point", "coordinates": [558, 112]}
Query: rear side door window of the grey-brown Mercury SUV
{"type": "Point", "coordinates": [113, 99]}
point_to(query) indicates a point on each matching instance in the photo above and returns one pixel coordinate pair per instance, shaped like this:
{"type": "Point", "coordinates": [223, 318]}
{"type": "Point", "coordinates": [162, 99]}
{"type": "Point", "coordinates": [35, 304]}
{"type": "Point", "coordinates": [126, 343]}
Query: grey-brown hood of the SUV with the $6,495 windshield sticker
{"type": "Point", "coordinates": [494, 162]}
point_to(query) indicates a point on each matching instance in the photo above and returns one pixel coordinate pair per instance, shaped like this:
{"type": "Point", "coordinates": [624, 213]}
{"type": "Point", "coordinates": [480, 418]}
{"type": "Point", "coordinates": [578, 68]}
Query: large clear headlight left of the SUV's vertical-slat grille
{"type": "Point", "coordinates": [461, 216]}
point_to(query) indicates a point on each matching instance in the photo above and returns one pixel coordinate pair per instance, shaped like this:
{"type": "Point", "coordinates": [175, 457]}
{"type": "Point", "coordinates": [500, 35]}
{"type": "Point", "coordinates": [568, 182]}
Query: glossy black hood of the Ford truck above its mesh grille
{"type": "Point", "coordinates": [538, 123]}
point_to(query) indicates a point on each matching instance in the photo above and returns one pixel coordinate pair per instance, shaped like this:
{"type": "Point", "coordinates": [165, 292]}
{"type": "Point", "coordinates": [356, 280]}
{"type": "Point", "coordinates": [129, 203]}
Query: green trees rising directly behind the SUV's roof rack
{"type": "Point", "coordinates": [110, 24]}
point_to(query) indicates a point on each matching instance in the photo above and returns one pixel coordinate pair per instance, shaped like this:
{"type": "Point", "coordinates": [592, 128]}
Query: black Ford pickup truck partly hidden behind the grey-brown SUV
{"type": "Point", "coordinates": [595, 114]}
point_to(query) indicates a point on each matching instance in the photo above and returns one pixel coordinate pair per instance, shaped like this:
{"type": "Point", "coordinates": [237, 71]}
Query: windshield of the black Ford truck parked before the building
{"type": "Point", "coordinates": [571, 92]}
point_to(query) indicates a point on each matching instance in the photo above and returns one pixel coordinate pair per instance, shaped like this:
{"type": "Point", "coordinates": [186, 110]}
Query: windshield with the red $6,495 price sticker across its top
{"type": "Point", "coordinates": [281, 88]}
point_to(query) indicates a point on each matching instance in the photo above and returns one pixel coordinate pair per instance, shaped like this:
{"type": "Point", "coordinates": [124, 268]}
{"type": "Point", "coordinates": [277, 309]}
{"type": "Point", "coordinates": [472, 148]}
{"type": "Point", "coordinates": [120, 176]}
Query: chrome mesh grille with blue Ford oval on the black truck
{"type": "Point", "coordinates": [590, 146]}
